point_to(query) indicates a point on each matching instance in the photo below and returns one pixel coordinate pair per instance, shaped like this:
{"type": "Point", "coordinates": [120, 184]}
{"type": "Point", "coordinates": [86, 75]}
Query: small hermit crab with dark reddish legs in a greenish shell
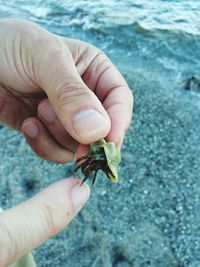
{"type": "Point", "coordinates": [103, 156]}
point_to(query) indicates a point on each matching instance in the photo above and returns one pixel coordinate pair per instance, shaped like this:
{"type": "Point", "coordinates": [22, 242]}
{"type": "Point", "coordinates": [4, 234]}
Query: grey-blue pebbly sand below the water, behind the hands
{"type": "Point", "coordinates": [151, 217]}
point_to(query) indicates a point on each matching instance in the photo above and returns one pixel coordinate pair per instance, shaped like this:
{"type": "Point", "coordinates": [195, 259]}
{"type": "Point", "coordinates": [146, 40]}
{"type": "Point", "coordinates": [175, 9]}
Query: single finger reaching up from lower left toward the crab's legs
{"type": "Point", "coordinates": [27, 225]}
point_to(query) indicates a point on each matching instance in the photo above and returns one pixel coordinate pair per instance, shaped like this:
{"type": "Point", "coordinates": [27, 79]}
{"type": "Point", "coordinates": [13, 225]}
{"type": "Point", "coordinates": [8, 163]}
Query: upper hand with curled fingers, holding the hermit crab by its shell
{"type": "Point", "coordinates": [59, 92]}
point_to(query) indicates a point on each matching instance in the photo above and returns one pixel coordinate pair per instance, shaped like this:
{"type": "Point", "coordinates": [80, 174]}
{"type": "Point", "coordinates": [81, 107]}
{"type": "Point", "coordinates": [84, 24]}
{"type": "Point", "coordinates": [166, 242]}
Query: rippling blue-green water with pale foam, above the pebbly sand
{"type": "Point", "coordinates": [162, 34]}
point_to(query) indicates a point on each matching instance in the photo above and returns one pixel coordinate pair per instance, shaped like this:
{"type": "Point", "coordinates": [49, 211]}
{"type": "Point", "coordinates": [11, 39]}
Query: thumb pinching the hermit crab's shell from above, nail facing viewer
{"type": "Point", "coordinates": [77, 107]}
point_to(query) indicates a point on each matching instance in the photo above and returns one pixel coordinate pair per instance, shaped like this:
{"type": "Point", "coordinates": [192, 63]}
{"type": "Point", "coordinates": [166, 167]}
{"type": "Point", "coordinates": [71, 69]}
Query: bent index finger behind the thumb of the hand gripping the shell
{"type": "Point", "coordinates": [103, 78]}
